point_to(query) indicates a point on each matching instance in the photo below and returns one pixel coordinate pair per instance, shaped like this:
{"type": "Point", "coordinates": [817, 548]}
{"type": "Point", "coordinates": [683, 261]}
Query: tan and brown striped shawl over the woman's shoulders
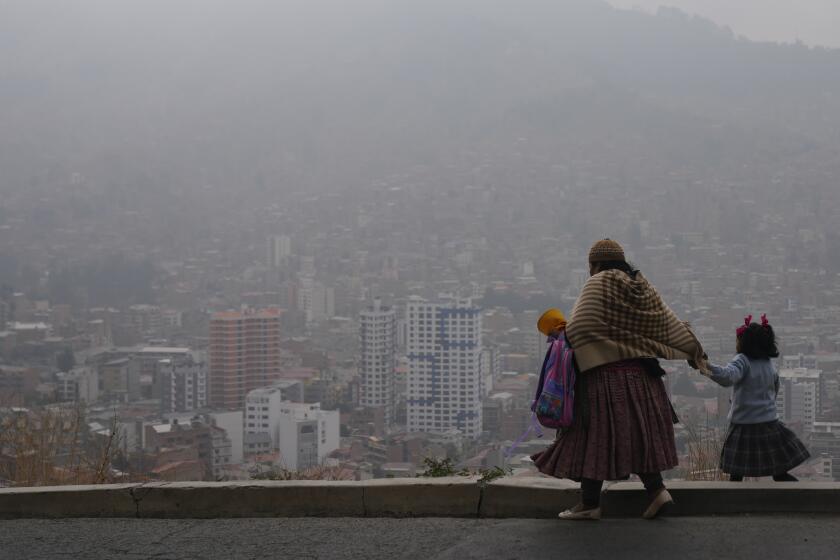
{"type": "Point", "coordinates": [618, 318]}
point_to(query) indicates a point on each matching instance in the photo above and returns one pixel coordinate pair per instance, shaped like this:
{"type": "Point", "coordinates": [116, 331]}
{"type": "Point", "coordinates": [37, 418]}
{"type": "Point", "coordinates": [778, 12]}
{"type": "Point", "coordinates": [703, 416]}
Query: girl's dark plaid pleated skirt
{"type": "Point", "coordinates": [765, 449]}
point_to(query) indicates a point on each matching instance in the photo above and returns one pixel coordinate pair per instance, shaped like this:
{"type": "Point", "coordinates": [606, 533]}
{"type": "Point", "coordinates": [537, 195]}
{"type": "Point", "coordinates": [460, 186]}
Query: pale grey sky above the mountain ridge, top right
{"type": "Point", "coordinates": [814, 22]}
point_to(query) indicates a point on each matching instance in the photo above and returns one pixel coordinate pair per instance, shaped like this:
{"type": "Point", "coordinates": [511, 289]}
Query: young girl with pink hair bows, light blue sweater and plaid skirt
{"type": "Point", "coordinates": [757, 443]}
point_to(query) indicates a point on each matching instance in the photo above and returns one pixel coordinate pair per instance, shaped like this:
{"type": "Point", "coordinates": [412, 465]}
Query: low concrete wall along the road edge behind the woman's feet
{"type": "Point", "coordinates": [423, 497]}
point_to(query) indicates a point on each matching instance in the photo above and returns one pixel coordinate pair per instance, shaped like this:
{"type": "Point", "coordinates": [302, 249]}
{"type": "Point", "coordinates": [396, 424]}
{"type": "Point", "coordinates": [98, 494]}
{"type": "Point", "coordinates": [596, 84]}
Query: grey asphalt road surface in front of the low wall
{"type": "Point", "coordinates": [744, 538]}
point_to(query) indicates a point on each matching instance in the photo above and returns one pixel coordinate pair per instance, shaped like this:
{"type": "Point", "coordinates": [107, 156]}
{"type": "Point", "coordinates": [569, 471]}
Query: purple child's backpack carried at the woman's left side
{"type": "Point", "coordinates": [555, 399]}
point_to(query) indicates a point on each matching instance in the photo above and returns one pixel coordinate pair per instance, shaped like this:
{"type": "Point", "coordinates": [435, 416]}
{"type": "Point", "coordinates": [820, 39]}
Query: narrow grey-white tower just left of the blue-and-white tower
{"type": "Point", "coordinates": [378, 340]}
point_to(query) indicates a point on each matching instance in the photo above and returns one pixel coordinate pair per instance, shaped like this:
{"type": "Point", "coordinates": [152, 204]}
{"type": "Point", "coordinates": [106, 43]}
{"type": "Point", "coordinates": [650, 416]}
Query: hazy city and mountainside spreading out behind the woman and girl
{"type": "Point", "coordinates": [330, 262]}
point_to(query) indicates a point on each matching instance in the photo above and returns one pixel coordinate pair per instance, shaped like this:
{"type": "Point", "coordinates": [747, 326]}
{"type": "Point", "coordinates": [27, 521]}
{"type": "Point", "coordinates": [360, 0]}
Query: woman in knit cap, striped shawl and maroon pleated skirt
{"type": "Point", "coordinates": [623, 418]}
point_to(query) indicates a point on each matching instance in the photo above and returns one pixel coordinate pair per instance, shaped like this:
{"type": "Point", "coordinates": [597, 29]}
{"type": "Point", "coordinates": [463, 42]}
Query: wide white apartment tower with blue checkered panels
{"type": "Point", "coordinates": [444, 366]}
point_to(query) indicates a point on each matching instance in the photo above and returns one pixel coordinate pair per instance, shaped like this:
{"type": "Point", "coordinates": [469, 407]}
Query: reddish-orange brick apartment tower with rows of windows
{"type": "Point", "coordinates": [244, 354]}
